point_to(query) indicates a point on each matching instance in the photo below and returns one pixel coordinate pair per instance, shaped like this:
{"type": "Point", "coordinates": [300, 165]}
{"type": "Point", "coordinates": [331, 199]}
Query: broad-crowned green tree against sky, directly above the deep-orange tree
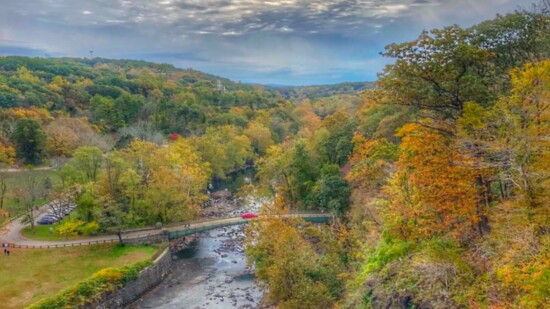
{"type": "Point", "coordinates": [437, 73]}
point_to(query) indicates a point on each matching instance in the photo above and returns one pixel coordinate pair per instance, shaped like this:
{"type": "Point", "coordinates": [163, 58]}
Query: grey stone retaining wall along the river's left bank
{"type": "Point", "coordinates": [148, 279]}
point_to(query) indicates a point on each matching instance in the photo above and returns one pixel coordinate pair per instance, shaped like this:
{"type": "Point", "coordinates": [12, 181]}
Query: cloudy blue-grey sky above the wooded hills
{"type": "Point", "coordinates": [286, 42]}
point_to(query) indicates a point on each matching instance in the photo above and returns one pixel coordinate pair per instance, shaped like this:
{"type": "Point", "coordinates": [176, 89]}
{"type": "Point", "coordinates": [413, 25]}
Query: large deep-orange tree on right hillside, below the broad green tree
{"type": "Point", "coordinates": [434, 191]}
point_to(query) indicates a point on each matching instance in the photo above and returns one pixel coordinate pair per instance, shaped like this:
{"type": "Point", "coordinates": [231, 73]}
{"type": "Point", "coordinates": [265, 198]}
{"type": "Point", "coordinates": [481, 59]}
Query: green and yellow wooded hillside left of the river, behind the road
{"type": "Point", "coordinates": [135, 143]}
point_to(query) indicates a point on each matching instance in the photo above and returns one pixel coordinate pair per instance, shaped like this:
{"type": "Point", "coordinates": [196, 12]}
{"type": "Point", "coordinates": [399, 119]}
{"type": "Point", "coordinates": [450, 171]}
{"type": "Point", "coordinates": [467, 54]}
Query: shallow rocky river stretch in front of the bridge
{"type": "Point", "coordinates": [212, 273]}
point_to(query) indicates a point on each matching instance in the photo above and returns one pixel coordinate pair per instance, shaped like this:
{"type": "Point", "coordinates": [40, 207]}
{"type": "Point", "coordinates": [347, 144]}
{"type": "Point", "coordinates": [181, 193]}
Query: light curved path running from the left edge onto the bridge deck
{"type": "Point", "coordinates": [13, 236]}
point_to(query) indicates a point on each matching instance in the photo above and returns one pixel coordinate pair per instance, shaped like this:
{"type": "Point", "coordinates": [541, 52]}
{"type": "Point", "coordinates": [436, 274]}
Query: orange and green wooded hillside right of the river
{"type": "Point", "coordinates": [444, 200]}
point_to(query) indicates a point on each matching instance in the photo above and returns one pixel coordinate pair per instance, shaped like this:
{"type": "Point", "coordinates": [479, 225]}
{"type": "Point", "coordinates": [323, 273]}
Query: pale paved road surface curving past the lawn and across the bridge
{"type": "Point", "coordinates": [12, 234]}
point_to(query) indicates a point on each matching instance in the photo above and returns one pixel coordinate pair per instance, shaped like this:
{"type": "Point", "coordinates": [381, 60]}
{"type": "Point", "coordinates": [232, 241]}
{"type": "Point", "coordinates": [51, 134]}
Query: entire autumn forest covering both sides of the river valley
{"type": "Point", "coordinates": [438, 176]}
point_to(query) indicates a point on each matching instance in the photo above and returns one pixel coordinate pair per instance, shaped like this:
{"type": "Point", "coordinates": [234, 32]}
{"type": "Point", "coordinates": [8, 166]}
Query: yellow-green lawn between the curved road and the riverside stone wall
{"type": "Point", "coordinates": [27, 276]}
